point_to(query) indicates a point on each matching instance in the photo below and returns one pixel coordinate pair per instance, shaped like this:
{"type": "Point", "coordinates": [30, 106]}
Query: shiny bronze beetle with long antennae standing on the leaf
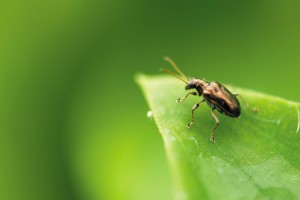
{"type": "Point", "coordinates": [216, 96]}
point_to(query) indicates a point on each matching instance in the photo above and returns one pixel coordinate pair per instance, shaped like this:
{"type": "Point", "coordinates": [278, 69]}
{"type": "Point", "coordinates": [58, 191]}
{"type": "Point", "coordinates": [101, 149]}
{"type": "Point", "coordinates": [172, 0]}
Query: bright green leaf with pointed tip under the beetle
{"type": "Point", "coordinates": [256, 156]}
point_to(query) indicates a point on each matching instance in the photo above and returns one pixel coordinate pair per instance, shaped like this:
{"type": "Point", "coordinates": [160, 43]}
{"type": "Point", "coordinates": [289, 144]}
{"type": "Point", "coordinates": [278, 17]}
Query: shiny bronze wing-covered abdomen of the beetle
{"type": "Point", "coordinates": [219, 97]}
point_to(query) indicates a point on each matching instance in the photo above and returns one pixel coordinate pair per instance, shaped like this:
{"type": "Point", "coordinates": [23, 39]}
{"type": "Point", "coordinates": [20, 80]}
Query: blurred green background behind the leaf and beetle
{"type": "Point", "coordinates": [73, 122]}
